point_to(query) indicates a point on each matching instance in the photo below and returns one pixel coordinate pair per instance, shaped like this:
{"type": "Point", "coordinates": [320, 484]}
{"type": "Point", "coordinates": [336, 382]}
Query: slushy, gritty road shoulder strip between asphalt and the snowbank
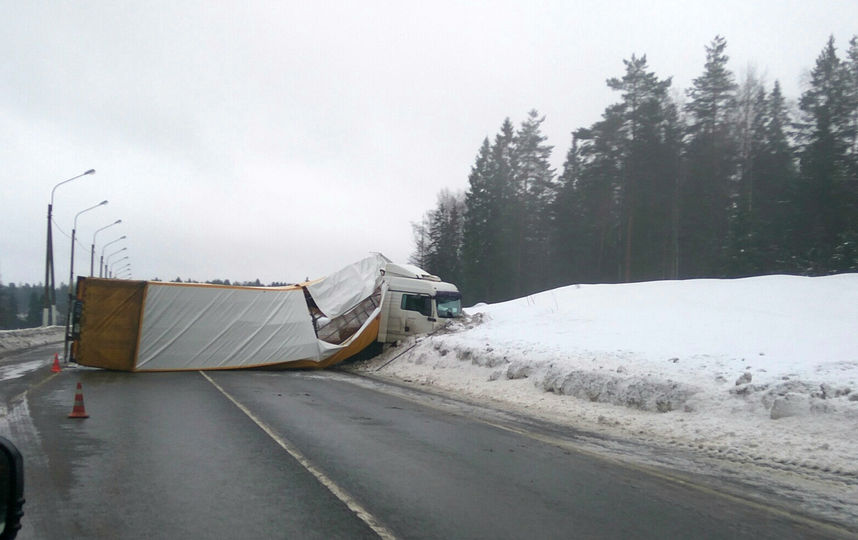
{"type": "Point", "coordinates": [827, 498]}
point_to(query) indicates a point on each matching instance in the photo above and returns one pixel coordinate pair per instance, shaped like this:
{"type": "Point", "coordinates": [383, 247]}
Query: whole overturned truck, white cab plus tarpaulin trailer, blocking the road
{"type": "Point", "coordinates": [155, 326]}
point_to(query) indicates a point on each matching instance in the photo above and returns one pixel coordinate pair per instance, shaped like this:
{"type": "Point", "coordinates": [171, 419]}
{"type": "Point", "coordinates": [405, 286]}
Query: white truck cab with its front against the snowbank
{"type": "Point", "coordinates": [416, 302]}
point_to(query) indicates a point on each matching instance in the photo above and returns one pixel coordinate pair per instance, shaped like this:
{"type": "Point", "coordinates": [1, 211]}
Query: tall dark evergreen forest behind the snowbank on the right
{"type": "Point", "coordinates": [726, 179]}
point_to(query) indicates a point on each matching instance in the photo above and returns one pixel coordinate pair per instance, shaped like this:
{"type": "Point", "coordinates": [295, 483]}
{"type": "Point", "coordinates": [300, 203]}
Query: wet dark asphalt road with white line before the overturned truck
{"type": "Point", "coordinates": [267, 454]}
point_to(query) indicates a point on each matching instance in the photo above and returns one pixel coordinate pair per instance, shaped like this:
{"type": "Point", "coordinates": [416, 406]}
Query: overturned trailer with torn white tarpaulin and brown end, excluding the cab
{"type": "Point", "coordinates": [186, 326]}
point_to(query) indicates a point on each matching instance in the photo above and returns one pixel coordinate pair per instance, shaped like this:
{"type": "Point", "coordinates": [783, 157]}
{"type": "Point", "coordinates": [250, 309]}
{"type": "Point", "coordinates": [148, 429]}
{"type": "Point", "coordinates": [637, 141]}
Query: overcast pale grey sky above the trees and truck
{"type": "Point", "coordinates": [284, 140]}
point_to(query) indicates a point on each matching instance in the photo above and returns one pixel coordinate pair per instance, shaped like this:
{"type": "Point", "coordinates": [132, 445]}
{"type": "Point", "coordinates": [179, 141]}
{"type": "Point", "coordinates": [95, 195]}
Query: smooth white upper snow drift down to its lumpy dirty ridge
{"type": "Point", "coordinates": [662, 346]}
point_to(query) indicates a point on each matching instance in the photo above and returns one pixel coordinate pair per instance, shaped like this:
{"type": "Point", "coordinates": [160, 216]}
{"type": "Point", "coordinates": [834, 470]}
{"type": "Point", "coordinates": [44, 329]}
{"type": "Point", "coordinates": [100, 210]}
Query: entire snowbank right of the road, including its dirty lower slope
{"type": "Point", "coordinates": [758, 370]}
